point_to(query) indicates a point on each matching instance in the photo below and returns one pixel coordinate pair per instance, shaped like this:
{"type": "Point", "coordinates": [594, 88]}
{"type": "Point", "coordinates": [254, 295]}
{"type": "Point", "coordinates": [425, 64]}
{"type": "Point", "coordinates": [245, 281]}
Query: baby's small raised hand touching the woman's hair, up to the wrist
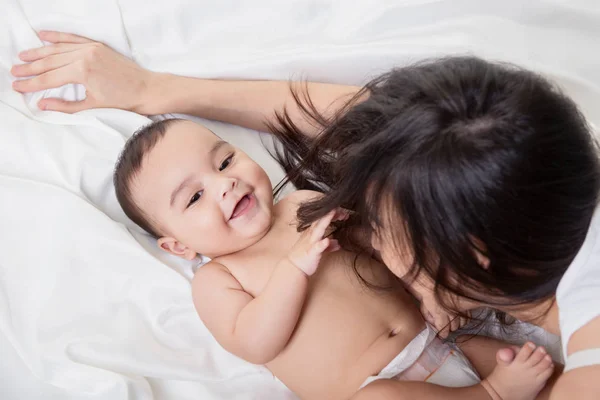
{"type": "Point", "coordinates": [308, 250]}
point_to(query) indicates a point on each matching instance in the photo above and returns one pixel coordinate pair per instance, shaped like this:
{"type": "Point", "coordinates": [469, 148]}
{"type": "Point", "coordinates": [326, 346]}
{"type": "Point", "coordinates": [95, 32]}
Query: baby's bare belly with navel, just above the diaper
{"type": "Point", "coordinates": [346, 333]}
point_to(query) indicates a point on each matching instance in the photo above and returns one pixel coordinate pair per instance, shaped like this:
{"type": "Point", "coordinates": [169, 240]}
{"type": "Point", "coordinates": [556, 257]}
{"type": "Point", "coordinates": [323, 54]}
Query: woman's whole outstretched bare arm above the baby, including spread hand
{"type": "Point", "coordinates": [114, 81]}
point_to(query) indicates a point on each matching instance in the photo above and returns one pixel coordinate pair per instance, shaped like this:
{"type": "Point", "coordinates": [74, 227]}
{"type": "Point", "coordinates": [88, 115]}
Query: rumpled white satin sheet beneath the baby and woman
{"type": "Point", "coordinates": [90, 310]}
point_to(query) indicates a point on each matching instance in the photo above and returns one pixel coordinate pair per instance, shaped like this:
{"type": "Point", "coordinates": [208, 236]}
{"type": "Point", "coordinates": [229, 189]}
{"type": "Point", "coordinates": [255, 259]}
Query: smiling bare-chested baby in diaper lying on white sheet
{"type": "Point", "coordinates": [290, 300]}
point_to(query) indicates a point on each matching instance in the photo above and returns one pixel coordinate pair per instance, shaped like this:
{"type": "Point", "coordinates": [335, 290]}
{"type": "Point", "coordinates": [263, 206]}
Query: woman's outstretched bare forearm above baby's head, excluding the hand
{"type": "Point", "coordinates": [251, 104]}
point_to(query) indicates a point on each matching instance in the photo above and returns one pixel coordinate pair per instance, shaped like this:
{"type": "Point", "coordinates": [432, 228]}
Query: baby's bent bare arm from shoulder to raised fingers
{"type": "Point", "coordinates": [258, 328]}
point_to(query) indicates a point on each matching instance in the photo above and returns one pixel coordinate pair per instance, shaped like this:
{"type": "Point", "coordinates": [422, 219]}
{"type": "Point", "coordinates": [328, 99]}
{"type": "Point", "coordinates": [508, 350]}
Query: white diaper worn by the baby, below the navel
{"type": "Point", "coordinates": [428, 359]}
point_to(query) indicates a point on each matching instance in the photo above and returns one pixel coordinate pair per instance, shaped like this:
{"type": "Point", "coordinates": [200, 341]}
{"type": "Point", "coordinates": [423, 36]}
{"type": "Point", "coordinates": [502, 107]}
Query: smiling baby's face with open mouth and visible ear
{"type": "Point", "coordinates": [203, 193]}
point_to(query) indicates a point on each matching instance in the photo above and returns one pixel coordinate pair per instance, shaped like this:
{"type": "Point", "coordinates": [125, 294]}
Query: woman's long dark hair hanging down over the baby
{"type": "Point", "coordinates": [454, 157]}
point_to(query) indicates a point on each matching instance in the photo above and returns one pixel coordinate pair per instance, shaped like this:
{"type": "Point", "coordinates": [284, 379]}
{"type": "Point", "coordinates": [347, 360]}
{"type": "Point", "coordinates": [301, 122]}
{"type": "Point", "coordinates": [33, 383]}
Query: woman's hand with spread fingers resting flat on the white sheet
{"type": "Point", "coordinates": [110, 79]}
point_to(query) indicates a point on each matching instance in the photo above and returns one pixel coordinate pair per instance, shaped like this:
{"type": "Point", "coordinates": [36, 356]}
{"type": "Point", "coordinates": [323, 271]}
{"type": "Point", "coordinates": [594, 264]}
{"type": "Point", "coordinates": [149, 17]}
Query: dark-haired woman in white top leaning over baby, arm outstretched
{"type": "Point", "coordinates": [461, 247]}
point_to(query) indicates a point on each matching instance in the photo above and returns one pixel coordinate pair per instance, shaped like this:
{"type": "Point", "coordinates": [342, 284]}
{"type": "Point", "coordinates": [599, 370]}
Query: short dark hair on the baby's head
{"type": "Point", "coordinates": [129, 164]}
